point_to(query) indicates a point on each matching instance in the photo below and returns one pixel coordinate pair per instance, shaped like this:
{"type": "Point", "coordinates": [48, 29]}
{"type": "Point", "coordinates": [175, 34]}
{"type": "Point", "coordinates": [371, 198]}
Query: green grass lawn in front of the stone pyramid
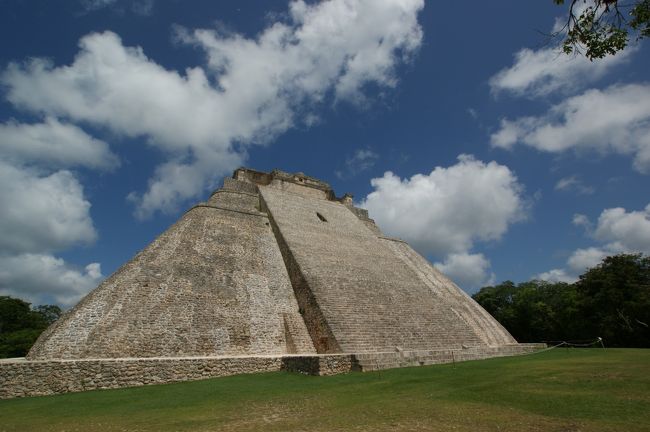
{"type": "Point", "coordinates": [559, 390]}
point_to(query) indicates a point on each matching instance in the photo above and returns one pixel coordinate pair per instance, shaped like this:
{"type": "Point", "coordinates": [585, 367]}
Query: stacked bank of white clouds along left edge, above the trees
{"type": "Point", "coordinates": [44, 209]}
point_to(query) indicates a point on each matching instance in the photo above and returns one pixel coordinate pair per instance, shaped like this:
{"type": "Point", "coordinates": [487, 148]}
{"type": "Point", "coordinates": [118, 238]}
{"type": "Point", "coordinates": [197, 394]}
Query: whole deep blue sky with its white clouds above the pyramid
{"type": "Point", "coordinates": [465, 133]}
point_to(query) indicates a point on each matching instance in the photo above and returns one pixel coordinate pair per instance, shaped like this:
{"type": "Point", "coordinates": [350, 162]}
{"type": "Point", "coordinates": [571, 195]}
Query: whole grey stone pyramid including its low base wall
{"type": "Point", "coordinates": [273, 272]}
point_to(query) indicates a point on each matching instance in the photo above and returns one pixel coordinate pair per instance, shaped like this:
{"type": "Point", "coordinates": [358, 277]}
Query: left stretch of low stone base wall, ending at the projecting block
{"type": "Point", "coordinates": [36, 378]}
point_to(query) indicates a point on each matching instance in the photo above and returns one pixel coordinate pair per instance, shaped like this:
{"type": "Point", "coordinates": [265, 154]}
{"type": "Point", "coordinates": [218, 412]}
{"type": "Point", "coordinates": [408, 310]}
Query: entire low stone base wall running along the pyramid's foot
{"type": "Point", "coordinates": [19, 378]}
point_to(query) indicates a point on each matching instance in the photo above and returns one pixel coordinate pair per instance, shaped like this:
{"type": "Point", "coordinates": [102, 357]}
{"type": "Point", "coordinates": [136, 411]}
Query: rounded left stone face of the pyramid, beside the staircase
{"type": "Point", "coordinates": [213, 284]}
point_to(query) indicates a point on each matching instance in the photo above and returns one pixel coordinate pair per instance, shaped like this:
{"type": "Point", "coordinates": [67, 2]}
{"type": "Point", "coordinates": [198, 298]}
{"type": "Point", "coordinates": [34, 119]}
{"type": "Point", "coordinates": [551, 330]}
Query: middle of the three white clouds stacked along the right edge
{"type": "Point", "coordinates": [613, 120]}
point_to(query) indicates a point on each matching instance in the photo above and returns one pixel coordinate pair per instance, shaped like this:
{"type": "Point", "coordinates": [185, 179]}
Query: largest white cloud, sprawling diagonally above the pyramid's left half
{"type": "Point", "coordinates": [251, 90]}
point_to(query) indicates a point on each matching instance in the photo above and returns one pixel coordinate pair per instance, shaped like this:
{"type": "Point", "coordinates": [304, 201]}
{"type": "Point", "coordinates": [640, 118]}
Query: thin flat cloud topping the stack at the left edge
{"type": "Point", "coordinates": [53, 144]}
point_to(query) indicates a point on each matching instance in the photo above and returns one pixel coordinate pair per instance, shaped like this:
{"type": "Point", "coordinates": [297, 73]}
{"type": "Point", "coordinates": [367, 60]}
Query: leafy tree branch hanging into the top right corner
{"type": "Point", "coordinates": [603, 27]}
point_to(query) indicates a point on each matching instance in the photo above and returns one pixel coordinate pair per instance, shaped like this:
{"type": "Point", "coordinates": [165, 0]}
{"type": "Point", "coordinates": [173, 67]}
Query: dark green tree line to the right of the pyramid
{"type": "Point", "coordinates": [611, 300]}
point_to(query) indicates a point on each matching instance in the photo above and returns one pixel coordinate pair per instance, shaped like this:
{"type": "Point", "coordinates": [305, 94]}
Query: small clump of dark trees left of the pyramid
{"type": "Point", "coordinates": [21, 324]}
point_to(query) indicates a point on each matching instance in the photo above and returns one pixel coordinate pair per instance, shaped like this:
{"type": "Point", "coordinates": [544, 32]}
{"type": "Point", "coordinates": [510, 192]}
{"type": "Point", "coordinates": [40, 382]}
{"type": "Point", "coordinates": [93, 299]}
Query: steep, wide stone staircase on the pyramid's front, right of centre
{"type": "Point", "coordinates": [370, 298]}
